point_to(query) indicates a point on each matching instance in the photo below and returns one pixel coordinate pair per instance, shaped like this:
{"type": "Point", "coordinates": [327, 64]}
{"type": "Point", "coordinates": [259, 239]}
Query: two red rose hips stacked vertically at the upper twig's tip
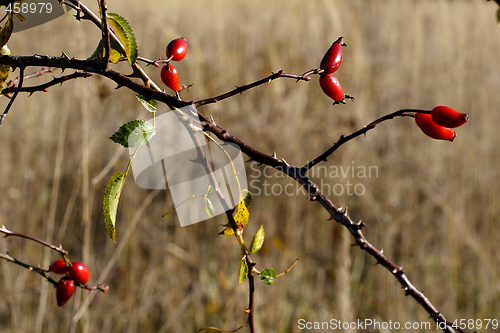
{"type": "Point", "coordinates": [329, 64]}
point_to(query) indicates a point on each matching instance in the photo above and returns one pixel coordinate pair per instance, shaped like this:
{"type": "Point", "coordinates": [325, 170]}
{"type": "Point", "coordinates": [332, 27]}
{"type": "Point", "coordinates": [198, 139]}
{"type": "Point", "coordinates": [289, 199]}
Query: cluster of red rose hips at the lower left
{"type": "Point", "coordinates": [75, 272]}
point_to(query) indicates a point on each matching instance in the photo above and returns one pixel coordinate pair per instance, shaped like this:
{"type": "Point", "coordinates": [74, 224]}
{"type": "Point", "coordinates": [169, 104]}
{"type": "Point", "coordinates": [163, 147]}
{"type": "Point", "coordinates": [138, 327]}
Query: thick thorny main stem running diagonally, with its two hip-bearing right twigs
{"type": "Point", "coordinates": [297, 173]}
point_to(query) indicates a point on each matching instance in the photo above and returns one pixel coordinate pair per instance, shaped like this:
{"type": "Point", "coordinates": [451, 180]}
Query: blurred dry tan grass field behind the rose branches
{"type": "Point", "coordinates": [433, 206]}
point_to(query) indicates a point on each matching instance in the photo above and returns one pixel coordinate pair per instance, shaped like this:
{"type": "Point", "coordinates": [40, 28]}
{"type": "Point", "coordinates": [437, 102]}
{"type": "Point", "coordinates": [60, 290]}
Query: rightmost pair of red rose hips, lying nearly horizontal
{"type": "Point", "coordinates": [438, 124]}
